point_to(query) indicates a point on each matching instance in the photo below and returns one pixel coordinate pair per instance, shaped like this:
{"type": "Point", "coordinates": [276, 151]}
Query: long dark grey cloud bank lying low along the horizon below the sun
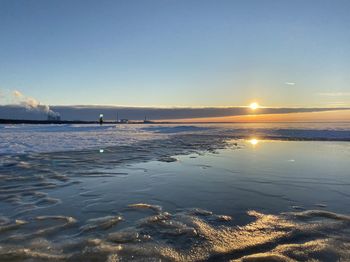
{"type": "Point", "coordinates": [88, 113]}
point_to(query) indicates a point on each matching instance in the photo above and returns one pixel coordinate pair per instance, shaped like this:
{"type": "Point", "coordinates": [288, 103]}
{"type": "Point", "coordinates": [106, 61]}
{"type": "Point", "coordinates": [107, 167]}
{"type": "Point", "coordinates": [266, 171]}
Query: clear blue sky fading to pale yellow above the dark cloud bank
{"type": "Point", "coordinates": [177, 53]}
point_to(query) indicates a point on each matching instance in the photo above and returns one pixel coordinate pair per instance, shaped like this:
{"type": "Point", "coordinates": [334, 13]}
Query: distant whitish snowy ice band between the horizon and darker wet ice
{"type": "Point", "coordinates": [19, 139]}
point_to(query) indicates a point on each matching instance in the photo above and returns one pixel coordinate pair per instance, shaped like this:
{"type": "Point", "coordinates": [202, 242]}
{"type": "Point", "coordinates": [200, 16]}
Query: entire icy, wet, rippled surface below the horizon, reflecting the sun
{"type": "Point", "coordinates": [224, 192]}
